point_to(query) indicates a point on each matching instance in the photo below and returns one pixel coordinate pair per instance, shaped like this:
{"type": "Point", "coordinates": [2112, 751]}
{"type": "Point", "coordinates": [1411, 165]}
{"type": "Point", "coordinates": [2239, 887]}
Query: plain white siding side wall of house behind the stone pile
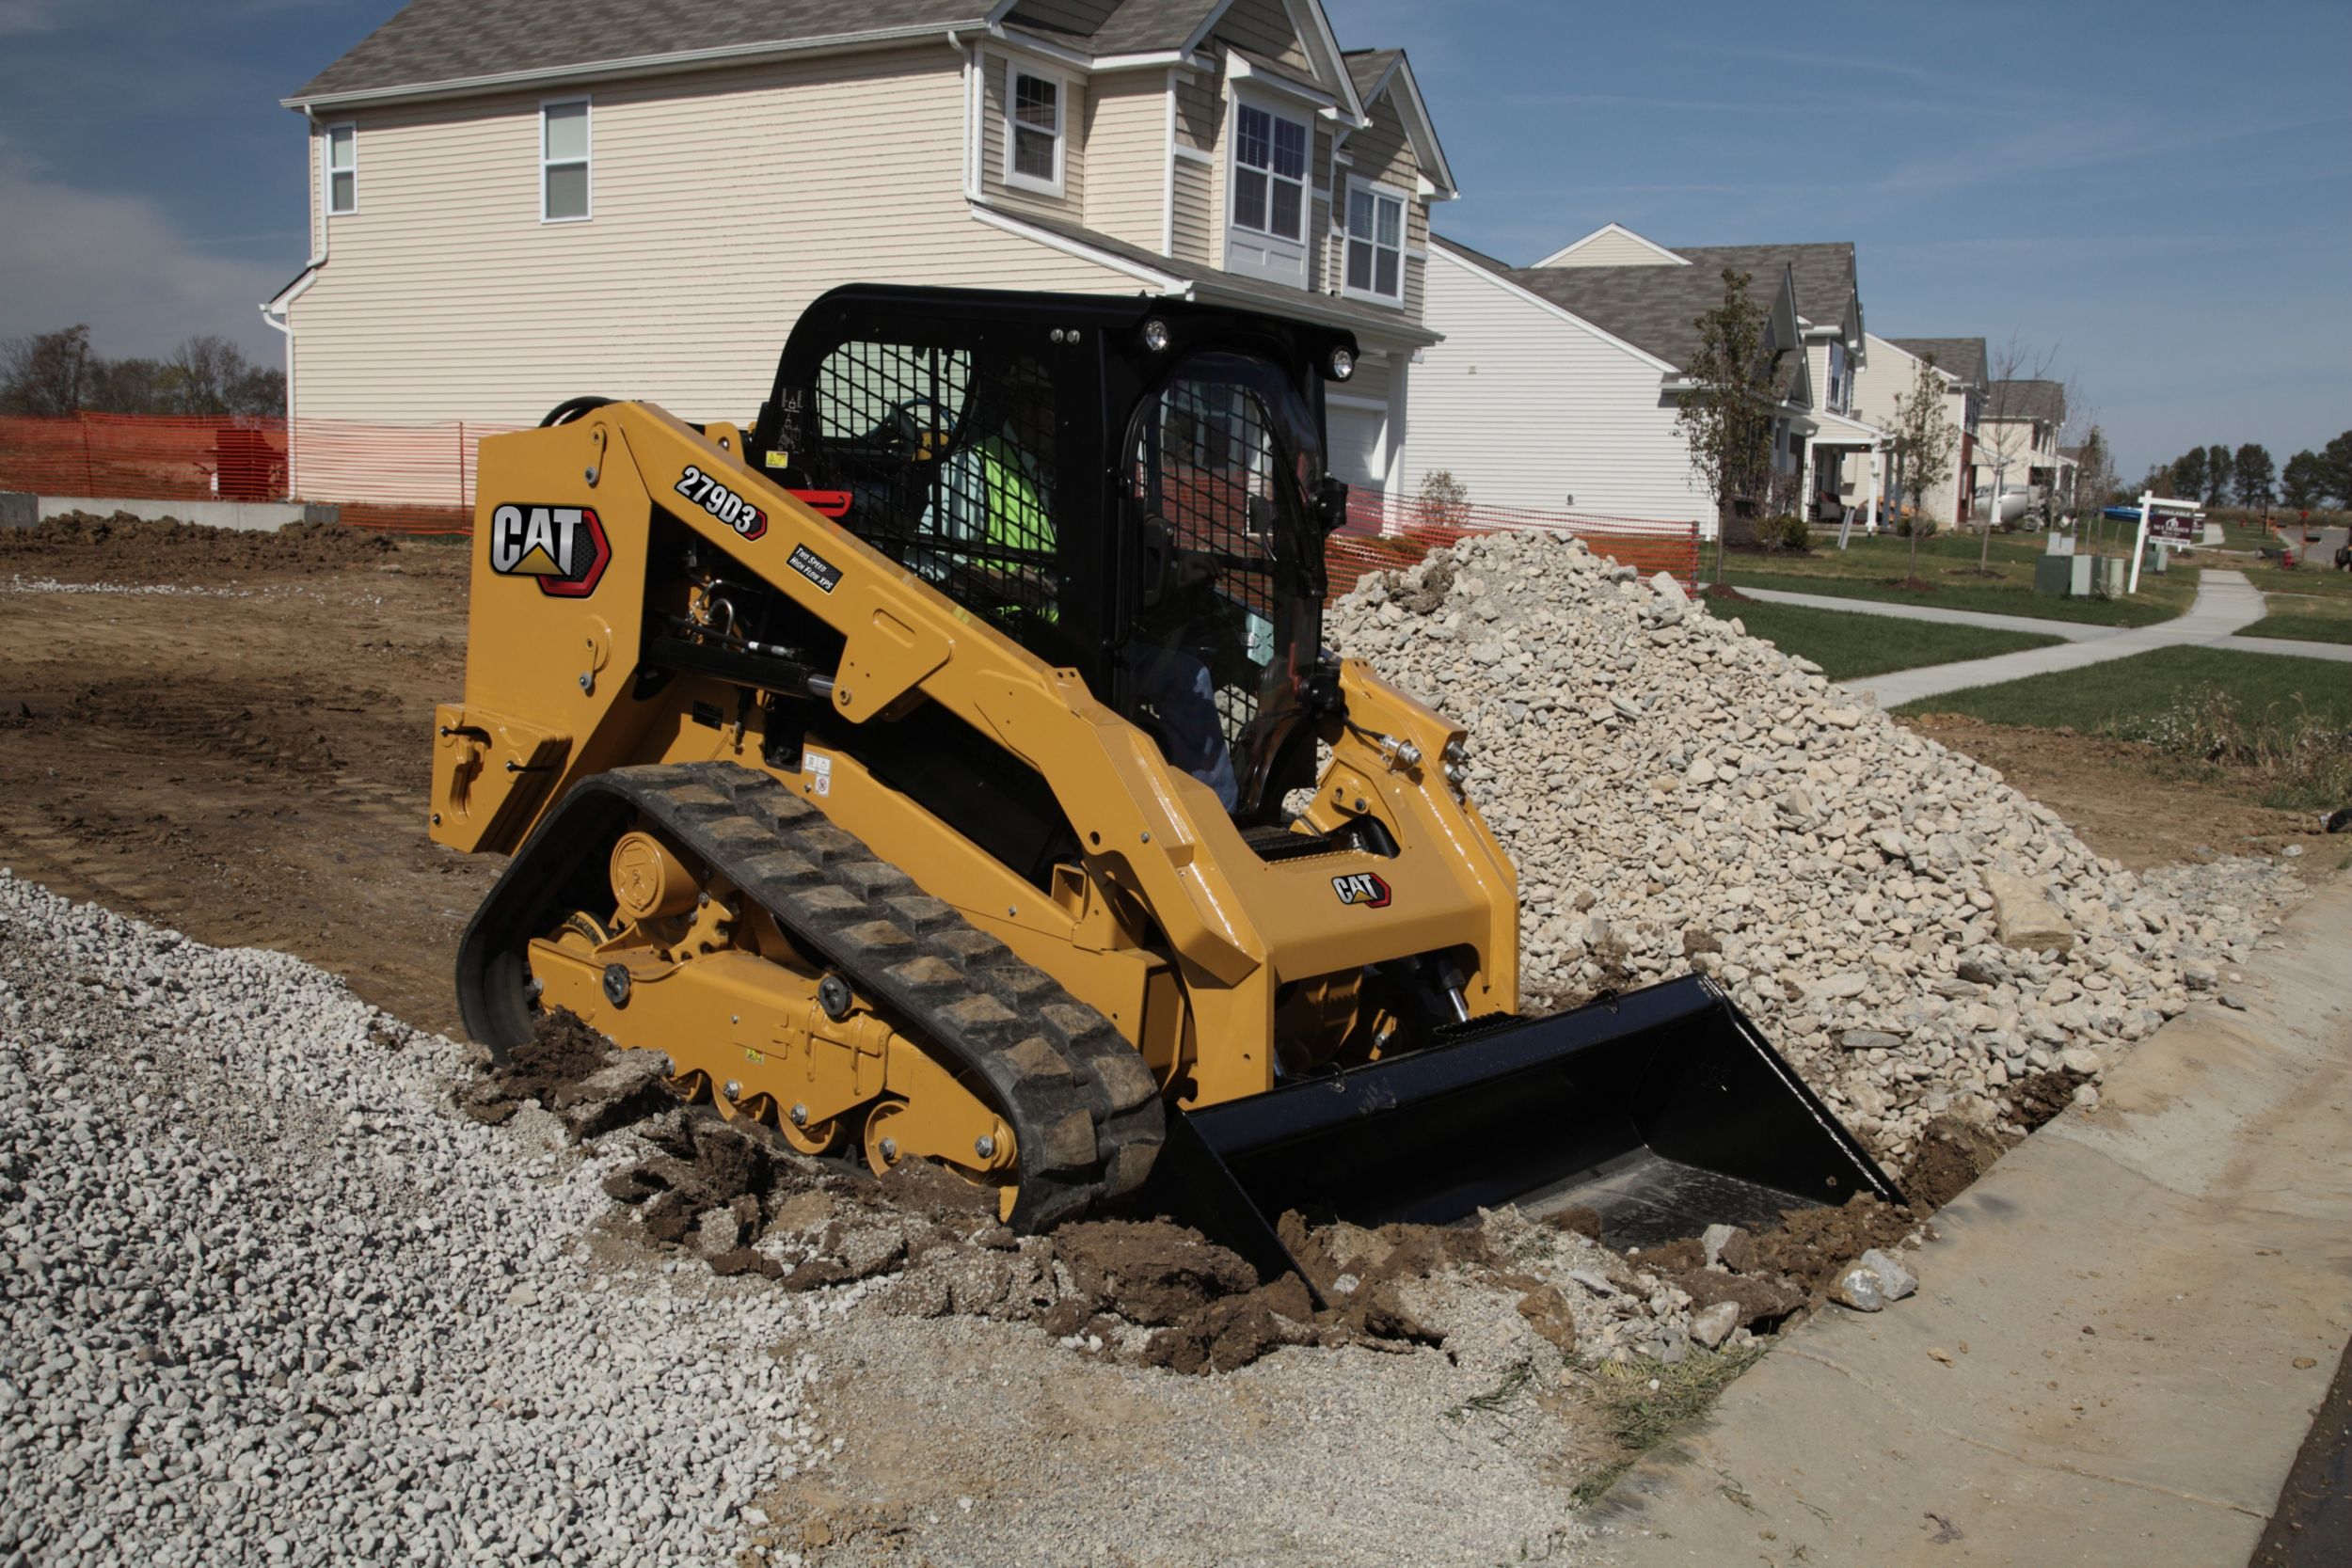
{"type": "Point", "coordinates": [1528, 408]}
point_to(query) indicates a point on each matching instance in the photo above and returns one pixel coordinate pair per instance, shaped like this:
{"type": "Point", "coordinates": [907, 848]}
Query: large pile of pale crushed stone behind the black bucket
{"type": "Point", "coordinates": [1681, 796]}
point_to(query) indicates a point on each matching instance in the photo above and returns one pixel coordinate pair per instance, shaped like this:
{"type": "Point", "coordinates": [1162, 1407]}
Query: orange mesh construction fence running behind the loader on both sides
{"type": "Point", "coordinates": [420, 481]}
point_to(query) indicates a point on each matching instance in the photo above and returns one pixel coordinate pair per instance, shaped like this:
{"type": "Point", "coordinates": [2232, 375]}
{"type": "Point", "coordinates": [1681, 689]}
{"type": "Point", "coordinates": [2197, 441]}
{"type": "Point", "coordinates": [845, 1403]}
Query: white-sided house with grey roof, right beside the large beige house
{"type": "Point", "coordinates": [1558, 384]}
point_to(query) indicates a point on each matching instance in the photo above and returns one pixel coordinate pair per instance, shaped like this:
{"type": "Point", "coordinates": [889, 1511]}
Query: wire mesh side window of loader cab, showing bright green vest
{"type": "Point", "coordinates": [949, 460]}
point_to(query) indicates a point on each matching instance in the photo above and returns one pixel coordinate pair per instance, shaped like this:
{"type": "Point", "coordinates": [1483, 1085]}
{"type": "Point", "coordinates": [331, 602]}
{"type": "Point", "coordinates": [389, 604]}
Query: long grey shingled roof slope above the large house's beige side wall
{"type": "Point", "coordinates": [486, 43]}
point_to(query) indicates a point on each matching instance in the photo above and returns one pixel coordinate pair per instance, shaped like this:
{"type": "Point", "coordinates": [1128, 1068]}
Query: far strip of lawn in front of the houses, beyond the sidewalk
{"type": "Point", "coordinates": [1871, 570]}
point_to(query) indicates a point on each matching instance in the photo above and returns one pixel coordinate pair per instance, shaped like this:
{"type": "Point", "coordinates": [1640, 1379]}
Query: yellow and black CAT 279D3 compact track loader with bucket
{"type": "Point", "coordinates": [949, 768]}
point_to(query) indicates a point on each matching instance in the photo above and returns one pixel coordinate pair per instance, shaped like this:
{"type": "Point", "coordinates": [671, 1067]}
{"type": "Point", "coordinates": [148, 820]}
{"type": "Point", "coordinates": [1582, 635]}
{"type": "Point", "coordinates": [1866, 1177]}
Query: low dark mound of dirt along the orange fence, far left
{"type": "Point", "coordinates": [138, 547]}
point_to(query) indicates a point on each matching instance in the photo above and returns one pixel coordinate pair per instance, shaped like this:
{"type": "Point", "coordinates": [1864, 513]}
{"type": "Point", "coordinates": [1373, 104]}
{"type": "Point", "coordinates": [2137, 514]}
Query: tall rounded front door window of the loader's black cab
{"type": "Point", "coordinates": [1210, 476]}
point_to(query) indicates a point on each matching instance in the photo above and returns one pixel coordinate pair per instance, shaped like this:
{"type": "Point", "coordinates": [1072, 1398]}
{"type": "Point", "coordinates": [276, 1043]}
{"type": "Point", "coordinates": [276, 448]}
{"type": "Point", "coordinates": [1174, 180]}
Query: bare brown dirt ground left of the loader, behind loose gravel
{"type": "Point", "coordinates": [243, 758]}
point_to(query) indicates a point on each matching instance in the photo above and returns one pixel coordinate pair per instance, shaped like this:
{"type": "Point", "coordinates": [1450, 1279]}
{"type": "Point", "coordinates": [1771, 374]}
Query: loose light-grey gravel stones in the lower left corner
{"type": "Point", "coordinates": [267, 1299]}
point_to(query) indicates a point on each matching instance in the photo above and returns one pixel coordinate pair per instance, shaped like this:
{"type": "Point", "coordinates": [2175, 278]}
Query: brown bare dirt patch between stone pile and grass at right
{"type": "Point", "coordinates": [2120, 798]}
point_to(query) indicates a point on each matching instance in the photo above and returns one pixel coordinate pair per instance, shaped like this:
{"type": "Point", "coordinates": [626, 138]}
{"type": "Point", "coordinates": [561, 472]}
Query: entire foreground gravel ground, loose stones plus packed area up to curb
{"type": "Point", "coordinates": [267, 1299]}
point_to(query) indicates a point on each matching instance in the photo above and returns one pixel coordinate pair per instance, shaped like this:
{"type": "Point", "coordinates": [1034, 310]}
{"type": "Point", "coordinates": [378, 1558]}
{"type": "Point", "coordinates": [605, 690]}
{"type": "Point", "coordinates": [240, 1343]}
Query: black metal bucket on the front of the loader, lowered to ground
{"type": "Point", "coordinates": [1659, 1108]}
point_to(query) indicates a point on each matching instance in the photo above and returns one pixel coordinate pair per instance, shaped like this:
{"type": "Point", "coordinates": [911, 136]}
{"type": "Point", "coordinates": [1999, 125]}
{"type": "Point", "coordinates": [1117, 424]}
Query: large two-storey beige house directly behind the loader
{"type": "Point", "coordinates": [516, 203]}
